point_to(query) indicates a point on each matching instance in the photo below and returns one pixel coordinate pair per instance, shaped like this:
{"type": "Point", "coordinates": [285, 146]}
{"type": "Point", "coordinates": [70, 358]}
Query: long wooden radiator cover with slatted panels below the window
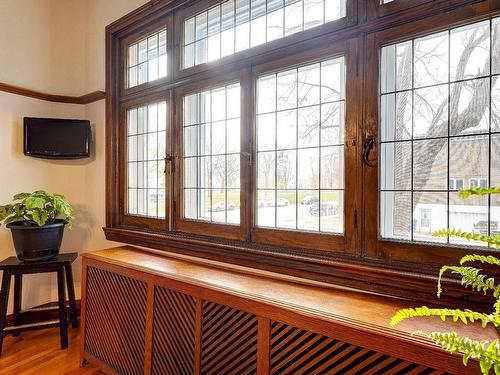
{"type": "Point", "coordinates": [147, 314]}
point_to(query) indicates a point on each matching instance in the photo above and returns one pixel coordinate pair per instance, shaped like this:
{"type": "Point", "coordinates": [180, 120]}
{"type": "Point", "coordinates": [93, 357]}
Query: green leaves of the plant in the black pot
{"type": "Point", "coordinates": [38, 208]}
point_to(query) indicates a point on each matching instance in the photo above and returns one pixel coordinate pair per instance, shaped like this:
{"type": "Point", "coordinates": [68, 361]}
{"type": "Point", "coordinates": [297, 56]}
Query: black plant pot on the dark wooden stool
{"type": "Point", "coordinates": [34, 243]}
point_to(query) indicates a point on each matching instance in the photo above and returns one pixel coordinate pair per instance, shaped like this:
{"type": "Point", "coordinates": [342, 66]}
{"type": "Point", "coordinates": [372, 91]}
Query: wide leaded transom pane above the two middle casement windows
{"type": "Point", "coordinates": [236, 25]}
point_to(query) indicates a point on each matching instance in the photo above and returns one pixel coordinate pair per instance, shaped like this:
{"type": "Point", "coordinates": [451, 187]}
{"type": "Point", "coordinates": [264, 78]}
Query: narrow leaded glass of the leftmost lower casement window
{"type": "Point", "coordinates": [146, 146]}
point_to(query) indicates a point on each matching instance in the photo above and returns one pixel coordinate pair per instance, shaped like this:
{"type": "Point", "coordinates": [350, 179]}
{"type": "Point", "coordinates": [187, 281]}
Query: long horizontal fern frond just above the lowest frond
{"type": "Point", "coordinates": [455, 314]}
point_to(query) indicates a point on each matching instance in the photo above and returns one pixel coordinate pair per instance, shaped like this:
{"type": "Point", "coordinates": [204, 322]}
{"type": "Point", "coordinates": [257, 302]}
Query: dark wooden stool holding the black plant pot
{"type": "Point", "coordinates": [14, 267]}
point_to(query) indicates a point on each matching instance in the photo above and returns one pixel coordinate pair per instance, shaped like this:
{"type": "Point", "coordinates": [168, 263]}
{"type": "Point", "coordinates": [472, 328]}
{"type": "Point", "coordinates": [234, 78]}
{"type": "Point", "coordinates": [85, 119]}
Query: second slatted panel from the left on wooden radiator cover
{"type": "Point", "coordinates": [173, 333]}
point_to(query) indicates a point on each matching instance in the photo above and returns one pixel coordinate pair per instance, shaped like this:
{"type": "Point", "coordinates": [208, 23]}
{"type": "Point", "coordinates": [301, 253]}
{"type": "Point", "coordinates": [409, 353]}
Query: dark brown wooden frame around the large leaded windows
{"type": "Point", "coordinates": [398, 269]}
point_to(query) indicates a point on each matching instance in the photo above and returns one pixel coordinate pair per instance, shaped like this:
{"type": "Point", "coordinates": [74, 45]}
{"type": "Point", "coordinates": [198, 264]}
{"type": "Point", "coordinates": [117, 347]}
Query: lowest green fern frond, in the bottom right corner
{"type": "Point", "coordinates": [486, 352]}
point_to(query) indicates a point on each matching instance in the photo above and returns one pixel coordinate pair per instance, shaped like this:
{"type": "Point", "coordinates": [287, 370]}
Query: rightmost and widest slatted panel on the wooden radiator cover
{"type": "Point", "coordinates": [296, 351]}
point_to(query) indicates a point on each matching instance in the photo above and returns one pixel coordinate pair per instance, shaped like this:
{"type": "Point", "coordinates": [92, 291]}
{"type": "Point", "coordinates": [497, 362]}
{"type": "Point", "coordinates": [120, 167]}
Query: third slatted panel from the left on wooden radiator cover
{"type": "Point", "coordinates": [229, 341]}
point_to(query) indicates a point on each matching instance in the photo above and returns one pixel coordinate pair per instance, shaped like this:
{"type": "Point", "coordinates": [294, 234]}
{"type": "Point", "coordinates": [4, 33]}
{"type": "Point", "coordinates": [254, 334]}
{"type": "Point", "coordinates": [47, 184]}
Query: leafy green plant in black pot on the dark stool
{"type": "Point", "coordinates": [37, 222]}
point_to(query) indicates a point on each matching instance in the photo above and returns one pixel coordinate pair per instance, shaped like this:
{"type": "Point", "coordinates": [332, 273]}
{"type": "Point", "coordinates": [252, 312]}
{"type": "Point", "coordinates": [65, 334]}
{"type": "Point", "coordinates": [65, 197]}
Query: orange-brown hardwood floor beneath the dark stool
{"type": "Point", "coordinates": [38, 353]}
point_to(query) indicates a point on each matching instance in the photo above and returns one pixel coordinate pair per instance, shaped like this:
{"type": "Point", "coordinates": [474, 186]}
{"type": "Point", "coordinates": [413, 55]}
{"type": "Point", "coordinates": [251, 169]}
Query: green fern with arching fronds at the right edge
{"type": "Point", "coordinates": [486, 352]}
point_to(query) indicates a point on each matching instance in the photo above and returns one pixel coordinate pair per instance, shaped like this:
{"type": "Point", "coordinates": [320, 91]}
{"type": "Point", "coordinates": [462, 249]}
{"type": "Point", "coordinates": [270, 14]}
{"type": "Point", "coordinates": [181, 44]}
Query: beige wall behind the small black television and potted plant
{"type": "Point", "coordinates": [55, 46]}
